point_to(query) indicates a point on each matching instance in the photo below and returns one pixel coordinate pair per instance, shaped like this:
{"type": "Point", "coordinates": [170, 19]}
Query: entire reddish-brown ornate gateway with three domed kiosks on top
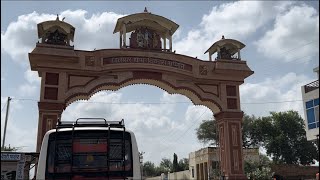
{"type": "Point", "coordinates": [68, 75]}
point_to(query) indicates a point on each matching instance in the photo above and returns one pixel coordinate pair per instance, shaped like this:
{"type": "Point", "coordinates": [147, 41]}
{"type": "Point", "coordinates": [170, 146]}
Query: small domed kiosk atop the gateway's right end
{"type": "Point", "coordinates": [226, 49]}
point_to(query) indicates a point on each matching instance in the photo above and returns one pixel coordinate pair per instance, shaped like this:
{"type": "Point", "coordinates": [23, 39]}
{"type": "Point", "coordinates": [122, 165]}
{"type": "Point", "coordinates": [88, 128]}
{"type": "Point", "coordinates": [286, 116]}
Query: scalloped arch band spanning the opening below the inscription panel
{"type": "Point", "coordinates": [171, 82]}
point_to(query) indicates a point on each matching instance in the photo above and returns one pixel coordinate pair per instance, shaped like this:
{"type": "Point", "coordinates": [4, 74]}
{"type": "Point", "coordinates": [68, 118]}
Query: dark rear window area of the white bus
{"type": "Point", "coordinates": [86, 154]}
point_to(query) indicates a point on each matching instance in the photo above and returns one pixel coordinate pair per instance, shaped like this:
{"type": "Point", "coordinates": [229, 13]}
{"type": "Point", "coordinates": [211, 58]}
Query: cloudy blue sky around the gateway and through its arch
{"type": "Point", "coordinates": [282, 47]}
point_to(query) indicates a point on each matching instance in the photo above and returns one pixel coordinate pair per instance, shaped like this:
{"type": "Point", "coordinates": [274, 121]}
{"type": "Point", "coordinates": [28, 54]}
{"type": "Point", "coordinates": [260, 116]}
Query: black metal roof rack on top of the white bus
{"type": "Point", "coordinates": [90, 122]}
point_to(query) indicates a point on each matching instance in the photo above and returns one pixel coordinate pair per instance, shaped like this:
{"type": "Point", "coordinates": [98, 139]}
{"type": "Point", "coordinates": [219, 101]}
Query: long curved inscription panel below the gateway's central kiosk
{"type": "Point", "coordinates": [147, 60]}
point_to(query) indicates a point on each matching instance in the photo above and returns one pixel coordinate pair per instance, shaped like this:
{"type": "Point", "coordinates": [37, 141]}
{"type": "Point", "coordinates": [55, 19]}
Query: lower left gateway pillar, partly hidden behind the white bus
{"type": "Point", "coordinates": [49, 114]}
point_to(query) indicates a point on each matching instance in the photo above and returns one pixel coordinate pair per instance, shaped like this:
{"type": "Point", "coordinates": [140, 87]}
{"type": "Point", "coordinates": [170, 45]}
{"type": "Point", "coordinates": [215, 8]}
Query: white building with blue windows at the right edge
{"type": "Point", "coordinates": [310, 96]}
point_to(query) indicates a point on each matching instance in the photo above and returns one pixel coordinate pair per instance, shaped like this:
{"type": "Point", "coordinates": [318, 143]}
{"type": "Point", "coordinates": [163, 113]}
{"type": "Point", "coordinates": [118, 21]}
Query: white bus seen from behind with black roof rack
{"type": "Point", "coordinates": [89, 148]}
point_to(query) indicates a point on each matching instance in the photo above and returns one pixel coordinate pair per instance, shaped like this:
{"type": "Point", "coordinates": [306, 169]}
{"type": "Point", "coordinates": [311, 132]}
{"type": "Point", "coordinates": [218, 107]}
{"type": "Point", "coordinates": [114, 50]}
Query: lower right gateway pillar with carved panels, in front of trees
{"type": "Point", "coordinates": [230, 139]}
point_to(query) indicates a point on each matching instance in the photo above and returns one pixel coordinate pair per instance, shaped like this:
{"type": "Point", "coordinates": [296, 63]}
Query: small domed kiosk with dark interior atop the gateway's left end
{"type": "Point", "coordinates": [56, 32]}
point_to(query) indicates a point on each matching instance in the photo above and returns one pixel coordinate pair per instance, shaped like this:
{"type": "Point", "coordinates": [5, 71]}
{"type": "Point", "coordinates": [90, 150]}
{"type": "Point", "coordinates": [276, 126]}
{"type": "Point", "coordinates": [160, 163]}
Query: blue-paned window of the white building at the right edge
{"type": "Point", "coordinates": [312, 108]}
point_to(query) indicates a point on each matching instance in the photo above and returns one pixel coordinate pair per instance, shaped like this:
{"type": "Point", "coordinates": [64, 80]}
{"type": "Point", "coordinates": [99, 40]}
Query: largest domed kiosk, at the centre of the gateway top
{"type": "Point", "coordinates": [147, 31]}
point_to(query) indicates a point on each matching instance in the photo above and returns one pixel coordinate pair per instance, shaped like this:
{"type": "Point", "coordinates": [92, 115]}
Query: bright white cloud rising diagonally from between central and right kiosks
{"type": "Point", "coordinates": [235, 20]}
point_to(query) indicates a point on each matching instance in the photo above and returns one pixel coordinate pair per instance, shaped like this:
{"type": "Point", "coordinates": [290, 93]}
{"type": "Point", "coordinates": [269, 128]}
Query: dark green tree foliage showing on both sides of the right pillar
{"type": "Point", "coordinates": [282, 134]}
